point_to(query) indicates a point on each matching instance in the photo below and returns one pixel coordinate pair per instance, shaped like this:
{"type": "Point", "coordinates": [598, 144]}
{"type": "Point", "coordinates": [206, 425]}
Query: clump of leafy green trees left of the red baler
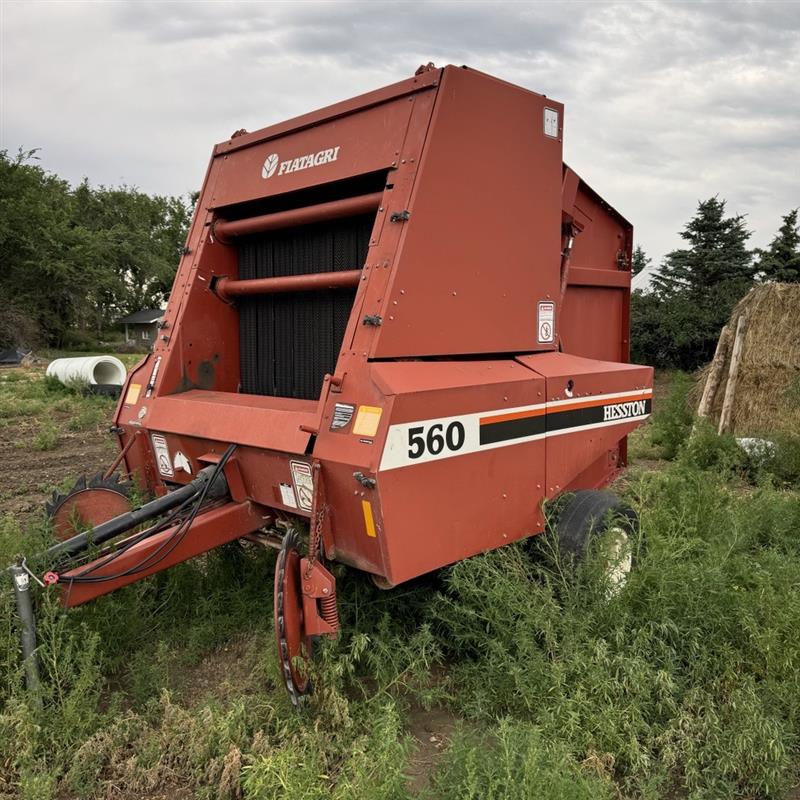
{"type": "Point", "coordinates": [75, 260]}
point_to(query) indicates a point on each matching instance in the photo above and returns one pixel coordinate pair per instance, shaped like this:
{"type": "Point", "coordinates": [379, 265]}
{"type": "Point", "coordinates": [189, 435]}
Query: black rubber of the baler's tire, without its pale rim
{"type": "Point", "coordinates": [587, 514]}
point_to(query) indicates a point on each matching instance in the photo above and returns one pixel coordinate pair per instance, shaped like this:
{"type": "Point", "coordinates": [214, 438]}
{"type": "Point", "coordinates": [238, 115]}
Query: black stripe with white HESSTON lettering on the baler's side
{"type": "Point", "coordinates": [506, 430]}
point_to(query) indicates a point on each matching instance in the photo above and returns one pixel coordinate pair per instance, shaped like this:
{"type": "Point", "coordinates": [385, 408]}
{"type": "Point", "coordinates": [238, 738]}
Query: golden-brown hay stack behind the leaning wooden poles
{"type": "Point", "coordinates": [767, 395]}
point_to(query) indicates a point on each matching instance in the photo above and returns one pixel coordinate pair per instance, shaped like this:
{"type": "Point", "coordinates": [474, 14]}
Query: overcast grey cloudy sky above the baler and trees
{"type": "Point", "coordinates": [666, 103]}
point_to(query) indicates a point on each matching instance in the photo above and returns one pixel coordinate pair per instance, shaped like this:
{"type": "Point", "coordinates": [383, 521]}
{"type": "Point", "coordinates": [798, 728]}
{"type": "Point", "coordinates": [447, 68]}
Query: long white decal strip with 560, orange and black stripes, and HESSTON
{"type": "Point", "coordinates": [433, 439]}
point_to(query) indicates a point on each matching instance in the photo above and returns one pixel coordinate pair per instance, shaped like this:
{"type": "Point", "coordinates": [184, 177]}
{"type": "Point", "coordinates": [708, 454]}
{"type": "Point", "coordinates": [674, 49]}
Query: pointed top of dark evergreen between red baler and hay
{"type": "Point", "coordinates": [717, 254]}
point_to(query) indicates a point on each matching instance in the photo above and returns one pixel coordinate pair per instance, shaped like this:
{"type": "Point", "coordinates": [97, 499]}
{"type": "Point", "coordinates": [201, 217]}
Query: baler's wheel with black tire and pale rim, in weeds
{"type": "Point", "coordinates": [591, 518]}
